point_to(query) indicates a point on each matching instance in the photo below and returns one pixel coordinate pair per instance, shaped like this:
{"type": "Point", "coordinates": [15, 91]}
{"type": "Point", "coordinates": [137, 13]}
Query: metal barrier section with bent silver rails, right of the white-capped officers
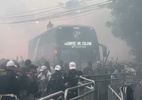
{"type": "Point", "coordinates": [85, 90]}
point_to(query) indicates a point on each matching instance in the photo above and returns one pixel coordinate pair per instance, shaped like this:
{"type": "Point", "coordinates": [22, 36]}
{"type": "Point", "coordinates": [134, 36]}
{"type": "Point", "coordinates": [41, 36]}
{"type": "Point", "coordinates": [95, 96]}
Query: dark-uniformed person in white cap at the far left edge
{"type": "Point", "coordinates": [9, 82]}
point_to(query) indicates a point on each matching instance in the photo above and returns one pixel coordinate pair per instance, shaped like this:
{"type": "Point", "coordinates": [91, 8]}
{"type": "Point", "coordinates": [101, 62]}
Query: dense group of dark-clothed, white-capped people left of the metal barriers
{"type": "Point", "coordinates": [29, 82]}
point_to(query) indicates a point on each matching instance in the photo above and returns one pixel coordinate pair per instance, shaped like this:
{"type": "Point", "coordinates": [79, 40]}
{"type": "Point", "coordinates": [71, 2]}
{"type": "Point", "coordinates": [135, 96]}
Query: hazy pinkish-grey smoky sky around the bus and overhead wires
{"type": "Point", "coordinates": [14, 37]}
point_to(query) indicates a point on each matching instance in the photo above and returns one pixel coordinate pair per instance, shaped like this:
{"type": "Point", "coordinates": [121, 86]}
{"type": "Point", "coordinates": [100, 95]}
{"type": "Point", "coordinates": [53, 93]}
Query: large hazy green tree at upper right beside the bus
{"type": "Point", "coordinates": [126, 24]}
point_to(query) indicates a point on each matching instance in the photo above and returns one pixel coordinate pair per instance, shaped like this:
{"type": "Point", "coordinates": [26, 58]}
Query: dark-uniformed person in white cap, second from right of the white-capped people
{"type": "Point", "coordinates": [56, 82]}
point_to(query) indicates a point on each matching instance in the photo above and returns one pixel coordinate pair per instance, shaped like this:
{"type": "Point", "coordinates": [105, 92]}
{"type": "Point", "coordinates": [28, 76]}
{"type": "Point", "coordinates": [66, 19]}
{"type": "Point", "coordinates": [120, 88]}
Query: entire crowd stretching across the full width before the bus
{"type": "Point", "coordinates": [29, 81]}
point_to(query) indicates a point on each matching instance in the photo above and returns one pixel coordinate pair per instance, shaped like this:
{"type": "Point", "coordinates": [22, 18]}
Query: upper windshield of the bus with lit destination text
{"type": "Point", "coordinates": [76, 37]}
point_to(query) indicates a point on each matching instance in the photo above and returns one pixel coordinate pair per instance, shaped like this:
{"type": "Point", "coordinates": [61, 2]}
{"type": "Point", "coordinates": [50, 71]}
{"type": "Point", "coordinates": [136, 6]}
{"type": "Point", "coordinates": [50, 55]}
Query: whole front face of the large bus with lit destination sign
{"type": "Point", "coordinates": [78, 44]}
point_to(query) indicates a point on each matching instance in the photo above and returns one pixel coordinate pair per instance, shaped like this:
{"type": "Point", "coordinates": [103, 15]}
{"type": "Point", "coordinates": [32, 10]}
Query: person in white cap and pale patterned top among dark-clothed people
{"type": "Point", "coordinates": [43, 79]}
